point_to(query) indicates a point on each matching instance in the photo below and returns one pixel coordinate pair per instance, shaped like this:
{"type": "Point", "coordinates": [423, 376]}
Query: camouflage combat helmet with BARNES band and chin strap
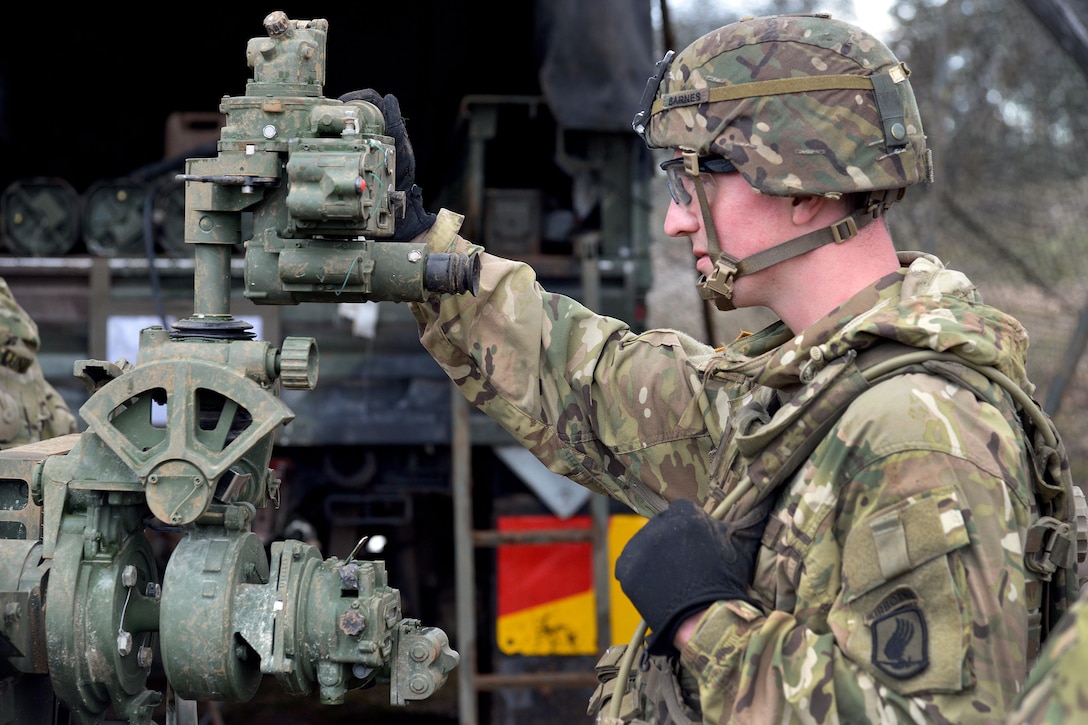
{"type": "Point", "coordinates": [800, 105]}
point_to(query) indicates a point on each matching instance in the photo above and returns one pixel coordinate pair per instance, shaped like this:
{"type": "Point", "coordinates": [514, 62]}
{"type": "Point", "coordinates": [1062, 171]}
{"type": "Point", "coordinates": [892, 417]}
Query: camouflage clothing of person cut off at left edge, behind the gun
{"type": "Point", "coordinates": [31, 409]}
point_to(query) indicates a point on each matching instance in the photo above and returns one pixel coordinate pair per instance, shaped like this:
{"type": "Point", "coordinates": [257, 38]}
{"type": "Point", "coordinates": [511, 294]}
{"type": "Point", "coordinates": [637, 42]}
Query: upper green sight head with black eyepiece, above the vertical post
{"type": "Point", "coordinates": [310, 215]}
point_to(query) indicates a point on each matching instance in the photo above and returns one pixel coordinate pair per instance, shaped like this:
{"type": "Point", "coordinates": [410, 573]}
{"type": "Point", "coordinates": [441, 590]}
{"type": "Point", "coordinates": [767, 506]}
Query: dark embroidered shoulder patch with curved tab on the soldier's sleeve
{"type": "Point", "coordinates": [900, 638]}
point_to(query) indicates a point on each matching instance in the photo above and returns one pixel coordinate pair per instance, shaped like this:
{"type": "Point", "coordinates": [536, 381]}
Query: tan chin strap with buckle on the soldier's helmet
{"type": "Point", "coordinates": [720, 285]}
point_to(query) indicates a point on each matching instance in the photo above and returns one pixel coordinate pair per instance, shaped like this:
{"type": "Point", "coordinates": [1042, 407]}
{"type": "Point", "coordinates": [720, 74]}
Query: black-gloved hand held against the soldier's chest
{"type": "Point", "coordinates": [683, 561]}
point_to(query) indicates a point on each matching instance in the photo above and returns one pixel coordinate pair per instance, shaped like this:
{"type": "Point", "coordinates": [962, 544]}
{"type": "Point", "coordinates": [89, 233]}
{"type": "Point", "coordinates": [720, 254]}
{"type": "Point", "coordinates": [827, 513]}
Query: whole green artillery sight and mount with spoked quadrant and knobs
{"type": "Point", "coordinates": [182, 441]}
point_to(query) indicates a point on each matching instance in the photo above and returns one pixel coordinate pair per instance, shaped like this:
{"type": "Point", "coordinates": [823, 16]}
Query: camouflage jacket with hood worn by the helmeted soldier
{"type": "Point", "coordinates": [892, 581]}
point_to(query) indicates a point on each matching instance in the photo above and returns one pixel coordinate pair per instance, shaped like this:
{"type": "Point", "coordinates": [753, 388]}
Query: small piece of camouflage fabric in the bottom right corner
{"type": "Point", "coordinates": [1057, 693]}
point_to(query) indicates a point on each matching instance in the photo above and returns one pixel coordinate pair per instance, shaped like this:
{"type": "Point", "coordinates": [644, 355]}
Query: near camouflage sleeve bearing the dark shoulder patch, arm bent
{"type": "Point", "coordinates": [908, 599]}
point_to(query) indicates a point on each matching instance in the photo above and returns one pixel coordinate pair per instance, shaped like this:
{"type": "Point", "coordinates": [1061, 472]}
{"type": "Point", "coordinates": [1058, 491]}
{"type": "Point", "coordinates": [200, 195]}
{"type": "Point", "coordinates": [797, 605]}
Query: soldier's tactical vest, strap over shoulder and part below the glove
{"type": "Point", "coordinates": [772, 443]}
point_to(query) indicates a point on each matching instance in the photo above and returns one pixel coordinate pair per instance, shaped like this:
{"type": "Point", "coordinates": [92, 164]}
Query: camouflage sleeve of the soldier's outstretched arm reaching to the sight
{"type": "Point", "coordinates": [620, 413]}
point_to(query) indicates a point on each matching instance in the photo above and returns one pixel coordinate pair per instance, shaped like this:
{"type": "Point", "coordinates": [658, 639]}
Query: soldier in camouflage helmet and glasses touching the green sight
{"type": "Point", "coordinates": [834, 537]}
